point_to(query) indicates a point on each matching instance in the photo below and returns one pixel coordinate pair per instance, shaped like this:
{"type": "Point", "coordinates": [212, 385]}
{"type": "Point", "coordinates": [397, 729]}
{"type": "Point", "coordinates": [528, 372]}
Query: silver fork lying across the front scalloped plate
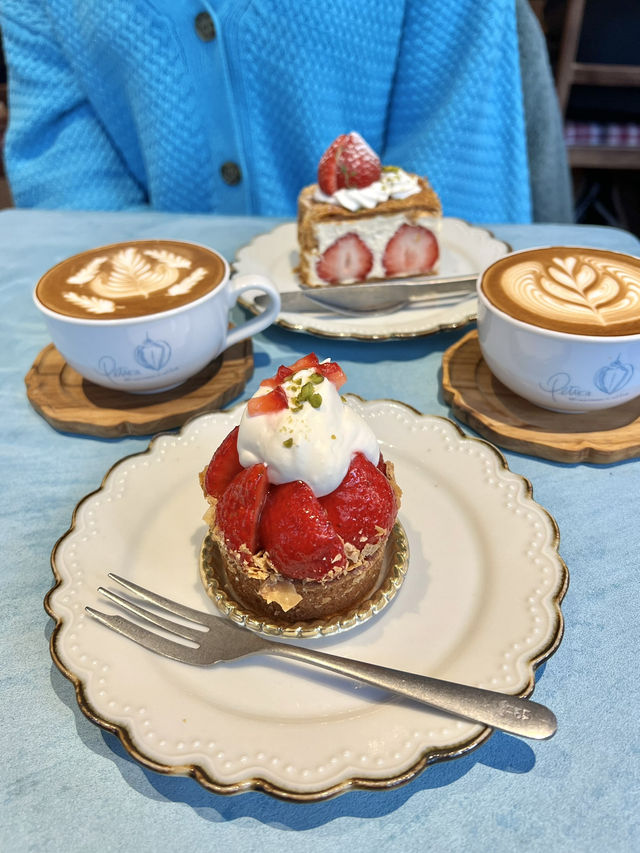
{"type": "Point", "coordinates": [215, 639]}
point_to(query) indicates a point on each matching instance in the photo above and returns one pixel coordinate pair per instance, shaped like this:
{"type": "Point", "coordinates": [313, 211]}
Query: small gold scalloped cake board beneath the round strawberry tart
{"type": "Point", "coordinates": [392, 574]}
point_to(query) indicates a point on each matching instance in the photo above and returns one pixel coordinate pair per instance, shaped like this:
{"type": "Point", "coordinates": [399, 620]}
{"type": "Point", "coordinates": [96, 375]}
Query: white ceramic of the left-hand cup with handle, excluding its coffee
{"type": "Point", "coordinates": [158, 351]}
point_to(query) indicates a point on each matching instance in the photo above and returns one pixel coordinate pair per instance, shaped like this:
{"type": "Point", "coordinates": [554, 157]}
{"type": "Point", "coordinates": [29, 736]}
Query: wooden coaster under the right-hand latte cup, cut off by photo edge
{"type": "Point", "coordinates": [496, 413]}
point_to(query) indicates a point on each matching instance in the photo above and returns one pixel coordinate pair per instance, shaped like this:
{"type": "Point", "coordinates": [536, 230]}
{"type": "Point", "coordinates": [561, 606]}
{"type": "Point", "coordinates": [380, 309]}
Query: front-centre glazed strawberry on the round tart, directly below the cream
{"type": "Point", "coordinates": [295, 531]}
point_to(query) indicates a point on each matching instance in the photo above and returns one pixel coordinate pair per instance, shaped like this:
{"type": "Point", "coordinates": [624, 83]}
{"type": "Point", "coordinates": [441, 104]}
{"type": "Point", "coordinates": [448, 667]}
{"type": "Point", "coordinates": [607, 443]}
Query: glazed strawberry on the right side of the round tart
{"type": "Point", "coordinates": [363, 506]}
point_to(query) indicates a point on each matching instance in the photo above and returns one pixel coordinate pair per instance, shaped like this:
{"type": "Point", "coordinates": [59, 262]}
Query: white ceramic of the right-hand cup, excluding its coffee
{"type": "Point", "coordinates": [557, 370]}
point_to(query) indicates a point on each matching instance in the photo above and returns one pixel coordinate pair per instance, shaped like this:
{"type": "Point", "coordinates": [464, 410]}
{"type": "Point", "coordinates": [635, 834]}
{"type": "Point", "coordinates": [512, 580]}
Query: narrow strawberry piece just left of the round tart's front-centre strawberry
{"type": "Point", "coordinates": [238, 510]}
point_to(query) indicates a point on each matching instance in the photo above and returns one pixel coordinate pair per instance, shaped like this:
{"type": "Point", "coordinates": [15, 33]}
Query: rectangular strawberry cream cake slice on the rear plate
{"type": "Point", "coordinates": [365, 222]}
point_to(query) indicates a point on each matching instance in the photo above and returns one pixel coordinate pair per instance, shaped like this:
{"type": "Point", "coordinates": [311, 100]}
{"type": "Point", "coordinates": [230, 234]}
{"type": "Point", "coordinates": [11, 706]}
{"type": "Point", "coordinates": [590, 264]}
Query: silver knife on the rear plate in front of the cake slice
{"type": "Point", "coordinates": [376, 297]}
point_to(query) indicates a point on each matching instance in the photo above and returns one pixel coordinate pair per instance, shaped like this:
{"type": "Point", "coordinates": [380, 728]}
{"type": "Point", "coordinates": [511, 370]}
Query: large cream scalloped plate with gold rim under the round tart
{"type": "Point", "coordinates": [480, 605]}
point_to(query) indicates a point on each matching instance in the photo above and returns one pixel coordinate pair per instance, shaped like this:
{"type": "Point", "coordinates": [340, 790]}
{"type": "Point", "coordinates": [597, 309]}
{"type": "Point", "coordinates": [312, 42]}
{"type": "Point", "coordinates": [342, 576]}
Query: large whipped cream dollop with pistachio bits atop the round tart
{"type": "Point", "coordinates": [309, 441]}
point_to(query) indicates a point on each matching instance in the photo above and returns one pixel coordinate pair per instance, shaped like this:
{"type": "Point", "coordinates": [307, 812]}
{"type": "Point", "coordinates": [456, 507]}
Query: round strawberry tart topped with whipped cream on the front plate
{"type": "Point", "coordinates": [301, 502]}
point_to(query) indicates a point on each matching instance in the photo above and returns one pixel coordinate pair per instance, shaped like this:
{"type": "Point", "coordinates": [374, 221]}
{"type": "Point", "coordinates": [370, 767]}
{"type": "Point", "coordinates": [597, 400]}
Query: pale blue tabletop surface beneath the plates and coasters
{"type": "Point", "coordinates": [71, 786]}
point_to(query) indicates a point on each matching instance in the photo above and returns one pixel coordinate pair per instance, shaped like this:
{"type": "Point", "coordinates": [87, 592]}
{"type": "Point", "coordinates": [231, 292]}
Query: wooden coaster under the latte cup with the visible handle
{"type": "Point", "coordinates": [73, 404]}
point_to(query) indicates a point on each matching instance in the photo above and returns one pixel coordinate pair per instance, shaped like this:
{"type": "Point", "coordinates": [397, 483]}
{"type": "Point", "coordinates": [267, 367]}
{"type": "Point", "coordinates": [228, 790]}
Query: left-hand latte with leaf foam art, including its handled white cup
{"type": "Point", "coordinates": [146, 315]}
